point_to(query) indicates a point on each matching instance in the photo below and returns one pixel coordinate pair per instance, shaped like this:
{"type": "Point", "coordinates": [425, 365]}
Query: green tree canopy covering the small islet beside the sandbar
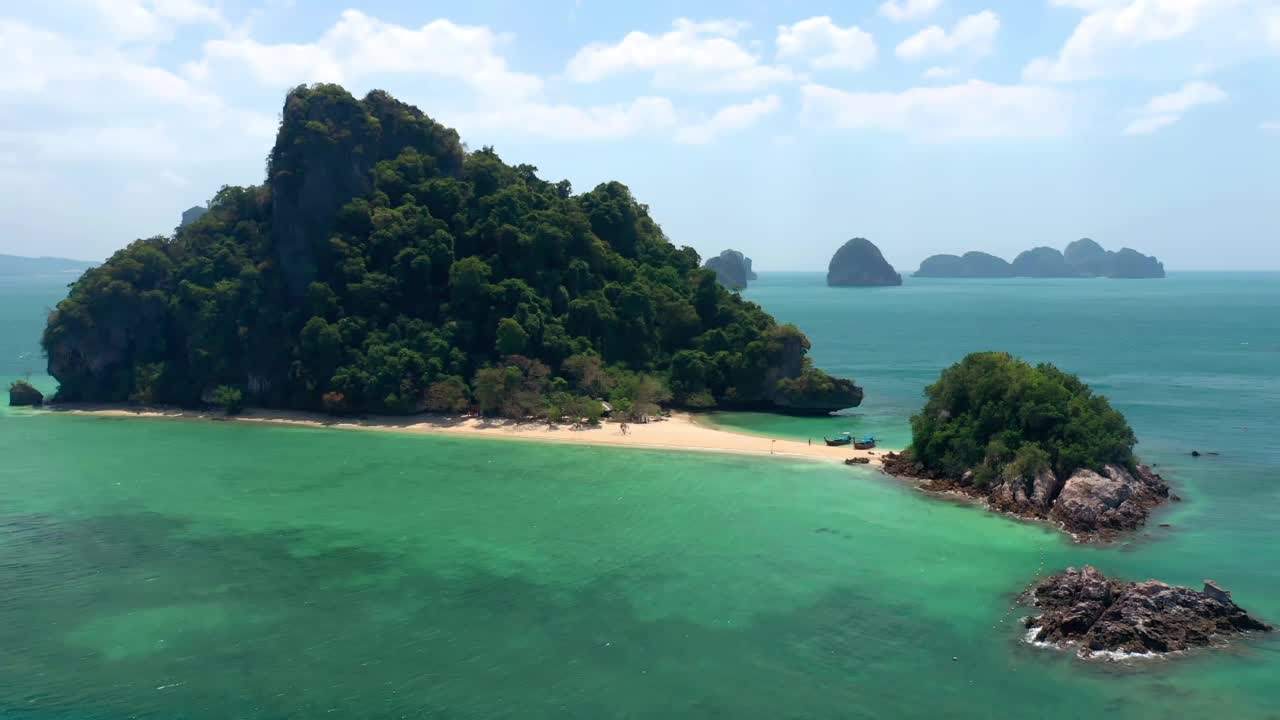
{"type": "Point", "coordinates": [993, 413]}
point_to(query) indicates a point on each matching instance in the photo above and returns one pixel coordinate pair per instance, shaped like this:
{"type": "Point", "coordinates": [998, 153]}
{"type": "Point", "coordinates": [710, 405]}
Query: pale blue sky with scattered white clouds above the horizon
{"type": "Point", "coordinates": [779, 129]}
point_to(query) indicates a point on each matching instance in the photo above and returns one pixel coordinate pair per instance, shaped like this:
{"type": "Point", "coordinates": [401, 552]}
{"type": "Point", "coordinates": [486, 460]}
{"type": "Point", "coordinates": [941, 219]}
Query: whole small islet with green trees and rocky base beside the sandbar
{"type": "Point", "coordinates": [1031, 441]}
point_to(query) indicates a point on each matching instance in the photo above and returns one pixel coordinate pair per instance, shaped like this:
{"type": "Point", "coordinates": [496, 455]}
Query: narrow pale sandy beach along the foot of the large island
{"type": "Point", "coordinates": [682, 432]}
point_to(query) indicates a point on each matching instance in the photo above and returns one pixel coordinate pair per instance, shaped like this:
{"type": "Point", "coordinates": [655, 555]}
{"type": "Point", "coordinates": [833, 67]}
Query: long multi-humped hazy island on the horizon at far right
{"type": "Point", "coordinates": [1082, 259]}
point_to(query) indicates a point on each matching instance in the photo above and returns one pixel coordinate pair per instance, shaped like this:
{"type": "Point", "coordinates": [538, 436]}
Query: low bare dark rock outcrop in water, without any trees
{"type": "Point", "coordinates": [1086, 610]}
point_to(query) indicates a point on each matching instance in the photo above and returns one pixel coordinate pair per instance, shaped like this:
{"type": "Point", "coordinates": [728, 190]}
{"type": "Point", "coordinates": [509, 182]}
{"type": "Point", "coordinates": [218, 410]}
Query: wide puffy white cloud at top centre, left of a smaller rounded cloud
{"type": "Point", "coordinates": [694, 56]}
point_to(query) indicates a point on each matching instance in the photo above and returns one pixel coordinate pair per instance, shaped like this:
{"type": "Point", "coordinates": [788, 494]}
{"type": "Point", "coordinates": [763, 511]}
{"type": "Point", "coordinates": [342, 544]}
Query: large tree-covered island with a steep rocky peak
{"type": "Point", "coordinates": [385, 268]}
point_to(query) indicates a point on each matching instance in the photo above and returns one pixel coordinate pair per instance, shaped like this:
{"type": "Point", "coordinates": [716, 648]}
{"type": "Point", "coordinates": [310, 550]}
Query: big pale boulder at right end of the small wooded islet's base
{"type": "Point", "coordinates": [1116, 500]}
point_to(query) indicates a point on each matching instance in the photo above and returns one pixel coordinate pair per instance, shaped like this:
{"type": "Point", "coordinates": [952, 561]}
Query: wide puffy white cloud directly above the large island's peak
{"type": "Point", "coordinates": [359, 47]}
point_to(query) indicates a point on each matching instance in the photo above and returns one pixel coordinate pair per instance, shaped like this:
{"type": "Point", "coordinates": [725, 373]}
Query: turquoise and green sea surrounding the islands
{"type": "Point", "coordinates": [175, 569]}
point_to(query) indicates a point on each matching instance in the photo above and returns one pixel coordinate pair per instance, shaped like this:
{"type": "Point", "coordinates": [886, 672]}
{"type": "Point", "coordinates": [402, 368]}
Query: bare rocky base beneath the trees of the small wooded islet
{"type": "Point", "coordinates": [1092, 507]}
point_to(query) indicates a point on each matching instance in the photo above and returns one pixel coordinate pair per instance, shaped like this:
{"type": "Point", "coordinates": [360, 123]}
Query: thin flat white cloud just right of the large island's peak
{"type": "Point", "coordinates": [573, 124]}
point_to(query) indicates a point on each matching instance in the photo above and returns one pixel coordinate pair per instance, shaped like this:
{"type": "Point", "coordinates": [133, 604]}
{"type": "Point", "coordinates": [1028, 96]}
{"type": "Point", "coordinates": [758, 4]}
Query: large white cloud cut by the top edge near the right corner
{"type": "Point", "coordinates": [1113, 25]}
